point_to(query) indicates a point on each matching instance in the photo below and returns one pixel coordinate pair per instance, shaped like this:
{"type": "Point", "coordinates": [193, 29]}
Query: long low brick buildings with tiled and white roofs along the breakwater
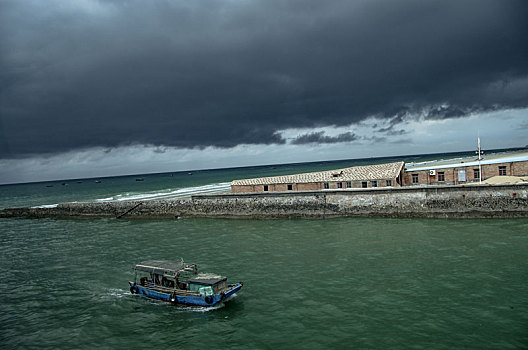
{"type": "Point", "coordinates": [460, 171]}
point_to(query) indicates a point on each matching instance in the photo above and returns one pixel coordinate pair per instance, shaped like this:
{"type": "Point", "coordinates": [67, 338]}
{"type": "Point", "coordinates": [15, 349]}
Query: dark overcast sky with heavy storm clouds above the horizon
{"type": "Point", "coordinates": [96, 88]}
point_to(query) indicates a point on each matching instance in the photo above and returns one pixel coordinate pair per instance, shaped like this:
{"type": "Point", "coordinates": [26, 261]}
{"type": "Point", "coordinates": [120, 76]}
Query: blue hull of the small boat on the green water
{"type": "Point", "coordinates": [192, 300]}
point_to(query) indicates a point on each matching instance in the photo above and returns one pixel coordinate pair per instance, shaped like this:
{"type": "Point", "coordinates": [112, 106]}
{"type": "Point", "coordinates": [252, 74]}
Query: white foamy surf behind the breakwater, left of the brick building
{"type": "Point", "coordinates": [168, 193]}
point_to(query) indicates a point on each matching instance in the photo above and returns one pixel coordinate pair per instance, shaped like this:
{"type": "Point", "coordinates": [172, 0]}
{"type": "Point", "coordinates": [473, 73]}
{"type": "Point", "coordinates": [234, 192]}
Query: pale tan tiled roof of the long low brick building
{"type": "Point", "coordinates": [358, 173]}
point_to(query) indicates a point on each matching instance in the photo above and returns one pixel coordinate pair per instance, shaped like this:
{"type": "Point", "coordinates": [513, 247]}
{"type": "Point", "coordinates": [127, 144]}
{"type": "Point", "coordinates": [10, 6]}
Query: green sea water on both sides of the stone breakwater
{"type": "Point", "coordinates": [348, 283]}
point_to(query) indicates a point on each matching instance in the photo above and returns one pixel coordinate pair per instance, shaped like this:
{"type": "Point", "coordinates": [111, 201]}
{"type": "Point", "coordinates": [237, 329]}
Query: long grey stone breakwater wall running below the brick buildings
{"type": "Point", "coordinates": [469, 201]}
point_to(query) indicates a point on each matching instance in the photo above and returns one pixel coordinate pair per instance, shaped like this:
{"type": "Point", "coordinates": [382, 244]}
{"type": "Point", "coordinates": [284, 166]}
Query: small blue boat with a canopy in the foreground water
{"type": "Point", "coordinates": [180, 283]}
